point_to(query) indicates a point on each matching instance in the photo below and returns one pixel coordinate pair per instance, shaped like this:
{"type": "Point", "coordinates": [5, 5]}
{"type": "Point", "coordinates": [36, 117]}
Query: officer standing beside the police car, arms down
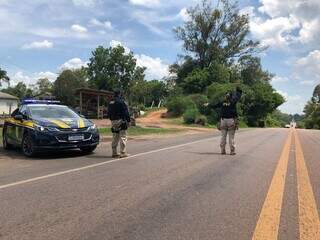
{"type": "Point", "coordinates": [119, 115]}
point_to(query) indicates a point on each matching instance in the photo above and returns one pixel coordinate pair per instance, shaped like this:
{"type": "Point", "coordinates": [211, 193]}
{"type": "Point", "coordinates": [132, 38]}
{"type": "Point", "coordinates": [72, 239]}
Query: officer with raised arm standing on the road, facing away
{"type": "Point", "coordinates": [228, 122]}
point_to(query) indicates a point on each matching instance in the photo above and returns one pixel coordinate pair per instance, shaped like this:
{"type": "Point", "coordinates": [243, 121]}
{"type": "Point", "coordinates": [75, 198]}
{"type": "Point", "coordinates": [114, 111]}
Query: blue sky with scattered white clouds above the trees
{"type": "Point", "coordinates": [40, 38]}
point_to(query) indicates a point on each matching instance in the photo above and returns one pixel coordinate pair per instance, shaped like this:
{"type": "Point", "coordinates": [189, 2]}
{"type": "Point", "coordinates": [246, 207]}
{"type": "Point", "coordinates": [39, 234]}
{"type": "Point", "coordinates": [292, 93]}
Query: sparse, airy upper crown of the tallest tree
{"type": "Point", "coordinates": [216, 33]}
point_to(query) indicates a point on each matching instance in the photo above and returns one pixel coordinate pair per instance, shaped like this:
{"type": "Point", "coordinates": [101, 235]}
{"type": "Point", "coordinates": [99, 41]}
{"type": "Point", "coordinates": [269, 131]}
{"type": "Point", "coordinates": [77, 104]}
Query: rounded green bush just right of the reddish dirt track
{"type": "Point", "coordinates": [177, 106]}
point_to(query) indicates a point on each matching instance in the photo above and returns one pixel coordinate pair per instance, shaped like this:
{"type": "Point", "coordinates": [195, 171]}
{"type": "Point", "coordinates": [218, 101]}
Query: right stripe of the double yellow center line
{"type": "Point", "coordinates": [309, 222]}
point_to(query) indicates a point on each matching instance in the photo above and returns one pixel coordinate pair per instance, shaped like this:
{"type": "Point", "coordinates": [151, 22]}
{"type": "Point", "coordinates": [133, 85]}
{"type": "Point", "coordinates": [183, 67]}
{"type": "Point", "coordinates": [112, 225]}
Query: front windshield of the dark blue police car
{"type": "Point", "coordinates": [52, 111]}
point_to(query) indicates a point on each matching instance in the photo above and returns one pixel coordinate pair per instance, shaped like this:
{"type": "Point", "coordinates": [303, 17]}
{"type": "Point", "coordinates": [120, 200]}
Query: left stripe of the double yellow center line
{"type": "Point", "coordinates": [268, 223]}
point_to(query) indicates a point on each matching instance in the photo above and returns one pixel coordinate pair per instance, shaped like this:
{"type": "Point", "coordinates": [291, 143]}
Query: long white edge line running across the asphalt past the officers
{"type": "Point", "coordinates": [99, 164]}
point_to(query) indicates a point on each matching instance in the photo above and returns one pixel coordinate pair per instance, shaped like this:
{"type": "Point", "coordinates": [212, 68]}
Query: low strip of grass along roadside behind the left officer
{"type": "Point", "coordinates": [140, 131]}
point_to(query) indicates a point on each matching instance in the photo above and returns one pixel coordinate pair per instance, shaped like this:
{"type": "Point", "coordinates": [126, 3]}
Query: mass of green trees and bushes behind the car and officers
{"type": "Point", "coordinates": [218, 55]}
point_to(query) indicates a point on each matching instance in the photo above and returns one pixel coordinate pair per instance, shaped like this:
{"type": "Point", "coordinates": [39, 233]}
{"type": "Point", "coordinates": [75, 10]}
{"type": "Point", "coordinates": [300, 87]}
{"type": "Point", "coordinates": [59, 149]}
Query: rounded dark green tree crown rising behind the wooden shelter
{"type": "Point", "coordinates": [112, 67]}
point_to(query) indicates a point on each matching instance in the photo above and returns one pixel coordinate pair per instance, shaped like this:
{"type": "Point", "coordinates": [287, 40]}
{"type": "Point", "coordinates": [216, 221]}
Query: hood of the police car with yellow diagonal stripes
{"type": "Point", "coordinates": [64, 123]}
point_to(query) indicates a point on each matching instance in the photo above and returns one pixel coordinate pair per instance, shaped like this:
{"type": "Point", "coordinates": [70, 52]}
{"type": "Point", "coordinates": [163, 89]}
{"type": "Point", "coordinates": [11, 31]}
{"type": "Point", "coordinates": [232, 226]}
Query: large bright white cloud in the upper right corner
{"type": "Point", "coordinates": [292, 21]}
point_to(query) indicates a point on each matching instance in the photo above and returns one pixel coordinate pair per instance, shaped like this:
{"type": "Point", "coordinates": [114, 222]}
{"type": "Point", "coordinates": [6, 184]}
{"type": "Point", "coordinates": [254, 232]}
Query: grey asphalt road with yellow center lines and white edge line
{"type": "Point", "coordinates": [171, 188]}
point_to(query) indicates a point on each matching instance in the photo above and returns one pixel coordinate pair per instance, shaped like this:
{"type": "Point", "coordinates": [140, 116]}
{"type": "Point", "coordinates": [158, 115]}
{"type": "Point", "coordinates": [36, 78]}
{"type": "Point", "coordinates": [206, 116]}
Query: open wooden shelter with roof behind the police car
{"type": "Point", "coordinates": [93, 103]}
